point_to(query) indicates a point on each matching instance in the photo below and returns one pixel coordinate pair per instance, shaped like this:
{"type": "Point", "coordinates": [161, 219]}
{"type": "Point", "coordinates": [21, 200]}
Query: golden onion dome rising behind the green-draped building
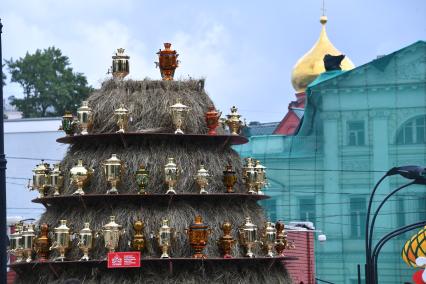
{"type": "Point", "coordinates": [310, 65]}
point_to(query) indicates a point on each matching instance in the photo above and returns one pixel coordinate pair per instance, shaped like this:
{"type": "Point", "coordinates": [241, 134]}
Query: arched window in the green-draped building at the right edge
{"type": "Point", "coordinates": [413, 131]}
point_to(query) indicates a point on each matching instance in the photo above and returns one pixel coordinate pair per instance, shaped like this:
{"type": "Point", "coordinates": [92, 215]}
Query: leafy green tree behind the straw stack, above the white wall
{"type": "Point", "coordinates": [50, 86]}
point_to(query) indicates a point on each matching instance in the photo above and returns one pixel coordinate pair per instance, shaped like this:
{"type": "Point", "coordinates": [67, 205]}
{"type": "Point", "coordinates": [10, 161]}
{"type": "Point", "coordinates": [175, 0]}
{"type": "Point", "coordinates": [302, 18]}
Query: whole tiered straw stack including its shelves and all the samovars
{"type": "Point", "coordinates": [143, 155]}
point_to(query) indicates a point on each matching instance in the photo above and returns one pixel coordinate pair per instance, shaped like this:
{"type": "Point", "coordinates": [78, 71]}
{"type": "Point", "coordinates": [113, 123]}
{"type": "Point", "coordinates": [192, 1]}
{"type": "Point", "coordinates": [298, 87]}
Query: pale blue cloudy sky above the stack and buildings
{"type": "Point", "coordinates": [244, 49]}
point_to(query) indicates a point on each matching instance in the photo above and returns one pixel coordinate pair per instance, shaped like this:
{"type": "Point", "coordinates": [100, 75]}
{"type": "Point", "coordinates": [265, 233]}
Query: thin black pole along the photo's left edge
{"type": "Point", "coordinates": [3, 225]}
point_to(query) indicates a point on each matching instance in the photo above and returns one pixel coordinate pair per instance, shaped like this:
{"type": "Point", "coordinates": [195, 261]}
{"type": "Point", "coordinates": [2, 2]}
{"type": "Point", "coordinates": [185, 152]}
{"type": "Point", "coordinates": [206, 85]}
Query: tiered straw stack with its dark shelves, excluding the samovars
{"type": "Point", "coordinates": [150, 141]}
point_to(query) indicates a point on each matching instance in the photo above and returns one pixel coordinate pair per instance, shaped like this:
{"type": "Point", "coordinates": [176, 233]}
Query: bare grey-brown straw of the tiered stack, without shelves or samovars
{"type": "Point", "coordinates": [148, 102]}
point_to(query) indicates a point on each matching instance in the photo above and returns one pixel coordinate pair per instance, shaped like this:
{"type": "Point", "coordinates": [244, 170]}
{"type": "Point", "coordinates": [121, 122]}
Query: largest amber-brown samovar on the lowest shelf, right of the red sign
{"type": "Point", "coordinates": [198, 234]}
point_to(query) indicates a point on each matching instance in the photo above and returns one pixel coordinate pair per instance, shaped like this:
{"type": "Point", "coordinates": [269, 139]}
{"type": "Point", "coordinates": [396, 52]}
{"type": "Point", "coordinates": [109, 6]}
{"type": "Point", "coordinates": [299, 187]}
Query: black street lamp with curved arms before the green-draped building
{"type": "Point", "coordinates": [415, 173]}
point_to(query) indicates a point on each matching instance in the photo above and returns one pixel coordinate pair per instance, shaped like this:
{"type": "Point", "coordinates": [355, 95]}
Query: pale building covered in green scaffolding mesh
{"type": "Point", "coordinates": [357, 124]}
